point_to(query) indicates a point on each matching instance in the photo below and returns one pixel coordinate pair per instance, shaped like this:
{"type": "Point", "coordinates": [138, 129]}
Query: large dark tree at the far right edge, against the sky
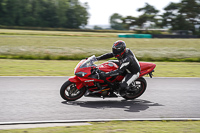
{"type": "Point", "coordinates": [182, 16]}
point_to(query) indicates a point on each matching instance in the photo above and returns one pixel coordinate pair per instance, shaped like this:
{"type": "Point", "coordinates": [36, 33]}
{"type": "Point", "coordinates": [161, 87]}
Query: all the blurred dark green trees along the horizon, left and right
{"type": "Point", "coordinates": [73, 14]}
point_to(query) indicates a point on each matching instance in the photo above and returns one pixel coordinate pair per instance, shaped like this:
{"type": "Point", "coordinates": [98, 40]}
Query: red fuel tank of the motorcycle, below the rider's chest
{"type": "Point", "coordinates": [107, 66]}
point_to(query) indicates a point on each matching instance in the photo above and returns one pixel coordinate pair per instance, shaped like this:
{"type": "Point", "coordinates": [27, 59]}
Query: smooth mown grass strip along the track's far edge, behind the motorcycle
{"type": "Point", "coordinates": [10, 67]}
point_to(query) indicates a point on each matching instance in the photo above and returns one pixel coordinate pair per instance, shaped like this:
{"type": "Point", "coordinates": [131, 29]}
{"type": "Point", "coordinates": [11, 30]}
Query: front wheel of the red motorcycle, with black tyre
{"type": "Point", "coordinates": [69, 92]}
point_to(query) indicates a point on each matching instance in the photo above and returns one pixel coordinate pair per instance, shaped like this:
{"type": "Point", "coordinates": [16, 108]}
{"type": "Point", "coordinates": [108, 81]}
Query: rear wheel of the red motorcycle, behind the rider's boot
{"type": "Point", "coordinates": [141, 85]}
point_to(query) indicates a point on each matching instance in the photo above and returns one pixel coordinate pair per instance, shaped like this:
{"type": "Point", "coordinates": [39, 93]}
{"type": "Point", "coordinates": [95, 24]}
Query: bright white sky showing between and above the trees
{"type": "Point", "coordinates": [101, 10]}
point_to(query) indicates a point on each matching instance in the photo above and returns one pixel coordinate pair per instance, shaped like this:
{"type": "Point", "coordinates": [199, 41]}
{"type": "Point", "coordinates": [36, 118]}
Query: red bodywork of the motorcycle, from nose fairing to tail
{"type": "Point", "coordinates": [84, 69]}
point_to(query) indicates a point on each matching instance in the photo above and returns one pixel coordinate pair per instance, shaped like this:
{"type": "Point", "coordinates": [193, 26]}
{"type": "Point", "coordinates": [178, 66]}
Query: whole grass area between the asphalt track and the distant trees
{"type": "Point", "coordinates": [50, 46]}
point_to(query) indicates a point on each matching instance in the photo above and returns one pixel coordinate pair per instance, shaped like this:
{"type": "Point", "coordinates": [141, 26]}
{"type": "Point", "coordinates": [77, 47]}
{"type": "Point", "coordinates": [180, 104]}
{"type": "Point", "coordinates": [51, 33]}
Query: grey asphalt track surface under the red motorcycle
{"type": "Point", "coordinates": [38, 99]}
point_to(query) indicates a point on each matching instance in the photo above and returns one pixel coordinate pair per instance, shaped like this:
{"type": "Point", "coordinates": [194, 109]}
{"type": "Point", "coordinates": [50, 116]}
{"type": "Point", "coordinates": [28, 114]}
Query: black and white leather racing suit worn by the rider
{"type": "Point", "coordinates": [127, 63]}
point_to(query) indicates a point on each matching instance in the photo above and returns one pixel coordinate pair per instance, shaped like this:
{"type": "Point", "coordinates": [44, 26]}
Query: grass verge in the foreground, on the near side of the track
{"type": "Point", "coordinates": [121, 127]}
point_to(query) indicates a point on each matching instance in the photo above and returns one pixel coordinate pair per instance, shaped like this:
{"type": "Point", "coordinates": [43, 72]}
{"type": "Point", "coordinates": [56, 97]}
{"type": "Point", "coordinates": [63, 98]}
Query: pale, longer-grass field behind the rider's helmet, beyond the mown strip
{"type": "Point", "coordinates": [60, 45]}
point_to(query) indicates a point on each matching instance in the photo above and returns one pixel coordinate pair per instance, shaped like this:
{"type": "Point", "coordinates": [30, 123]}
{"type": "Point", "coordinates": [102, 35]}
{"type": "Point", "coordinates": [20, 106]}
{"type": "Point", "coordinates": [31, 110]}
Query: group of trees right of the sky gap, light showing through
{"type": "Point", "coordinates": [184, 15]}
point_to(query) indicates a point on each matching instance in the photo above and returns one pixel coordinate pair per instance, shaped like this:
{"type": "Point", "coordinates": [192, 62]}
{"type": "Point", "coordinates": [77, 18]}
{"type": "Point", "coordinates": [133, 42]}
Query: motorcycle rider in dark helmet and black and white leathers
{"type": "Point", "coordinates": [127, 62]}
